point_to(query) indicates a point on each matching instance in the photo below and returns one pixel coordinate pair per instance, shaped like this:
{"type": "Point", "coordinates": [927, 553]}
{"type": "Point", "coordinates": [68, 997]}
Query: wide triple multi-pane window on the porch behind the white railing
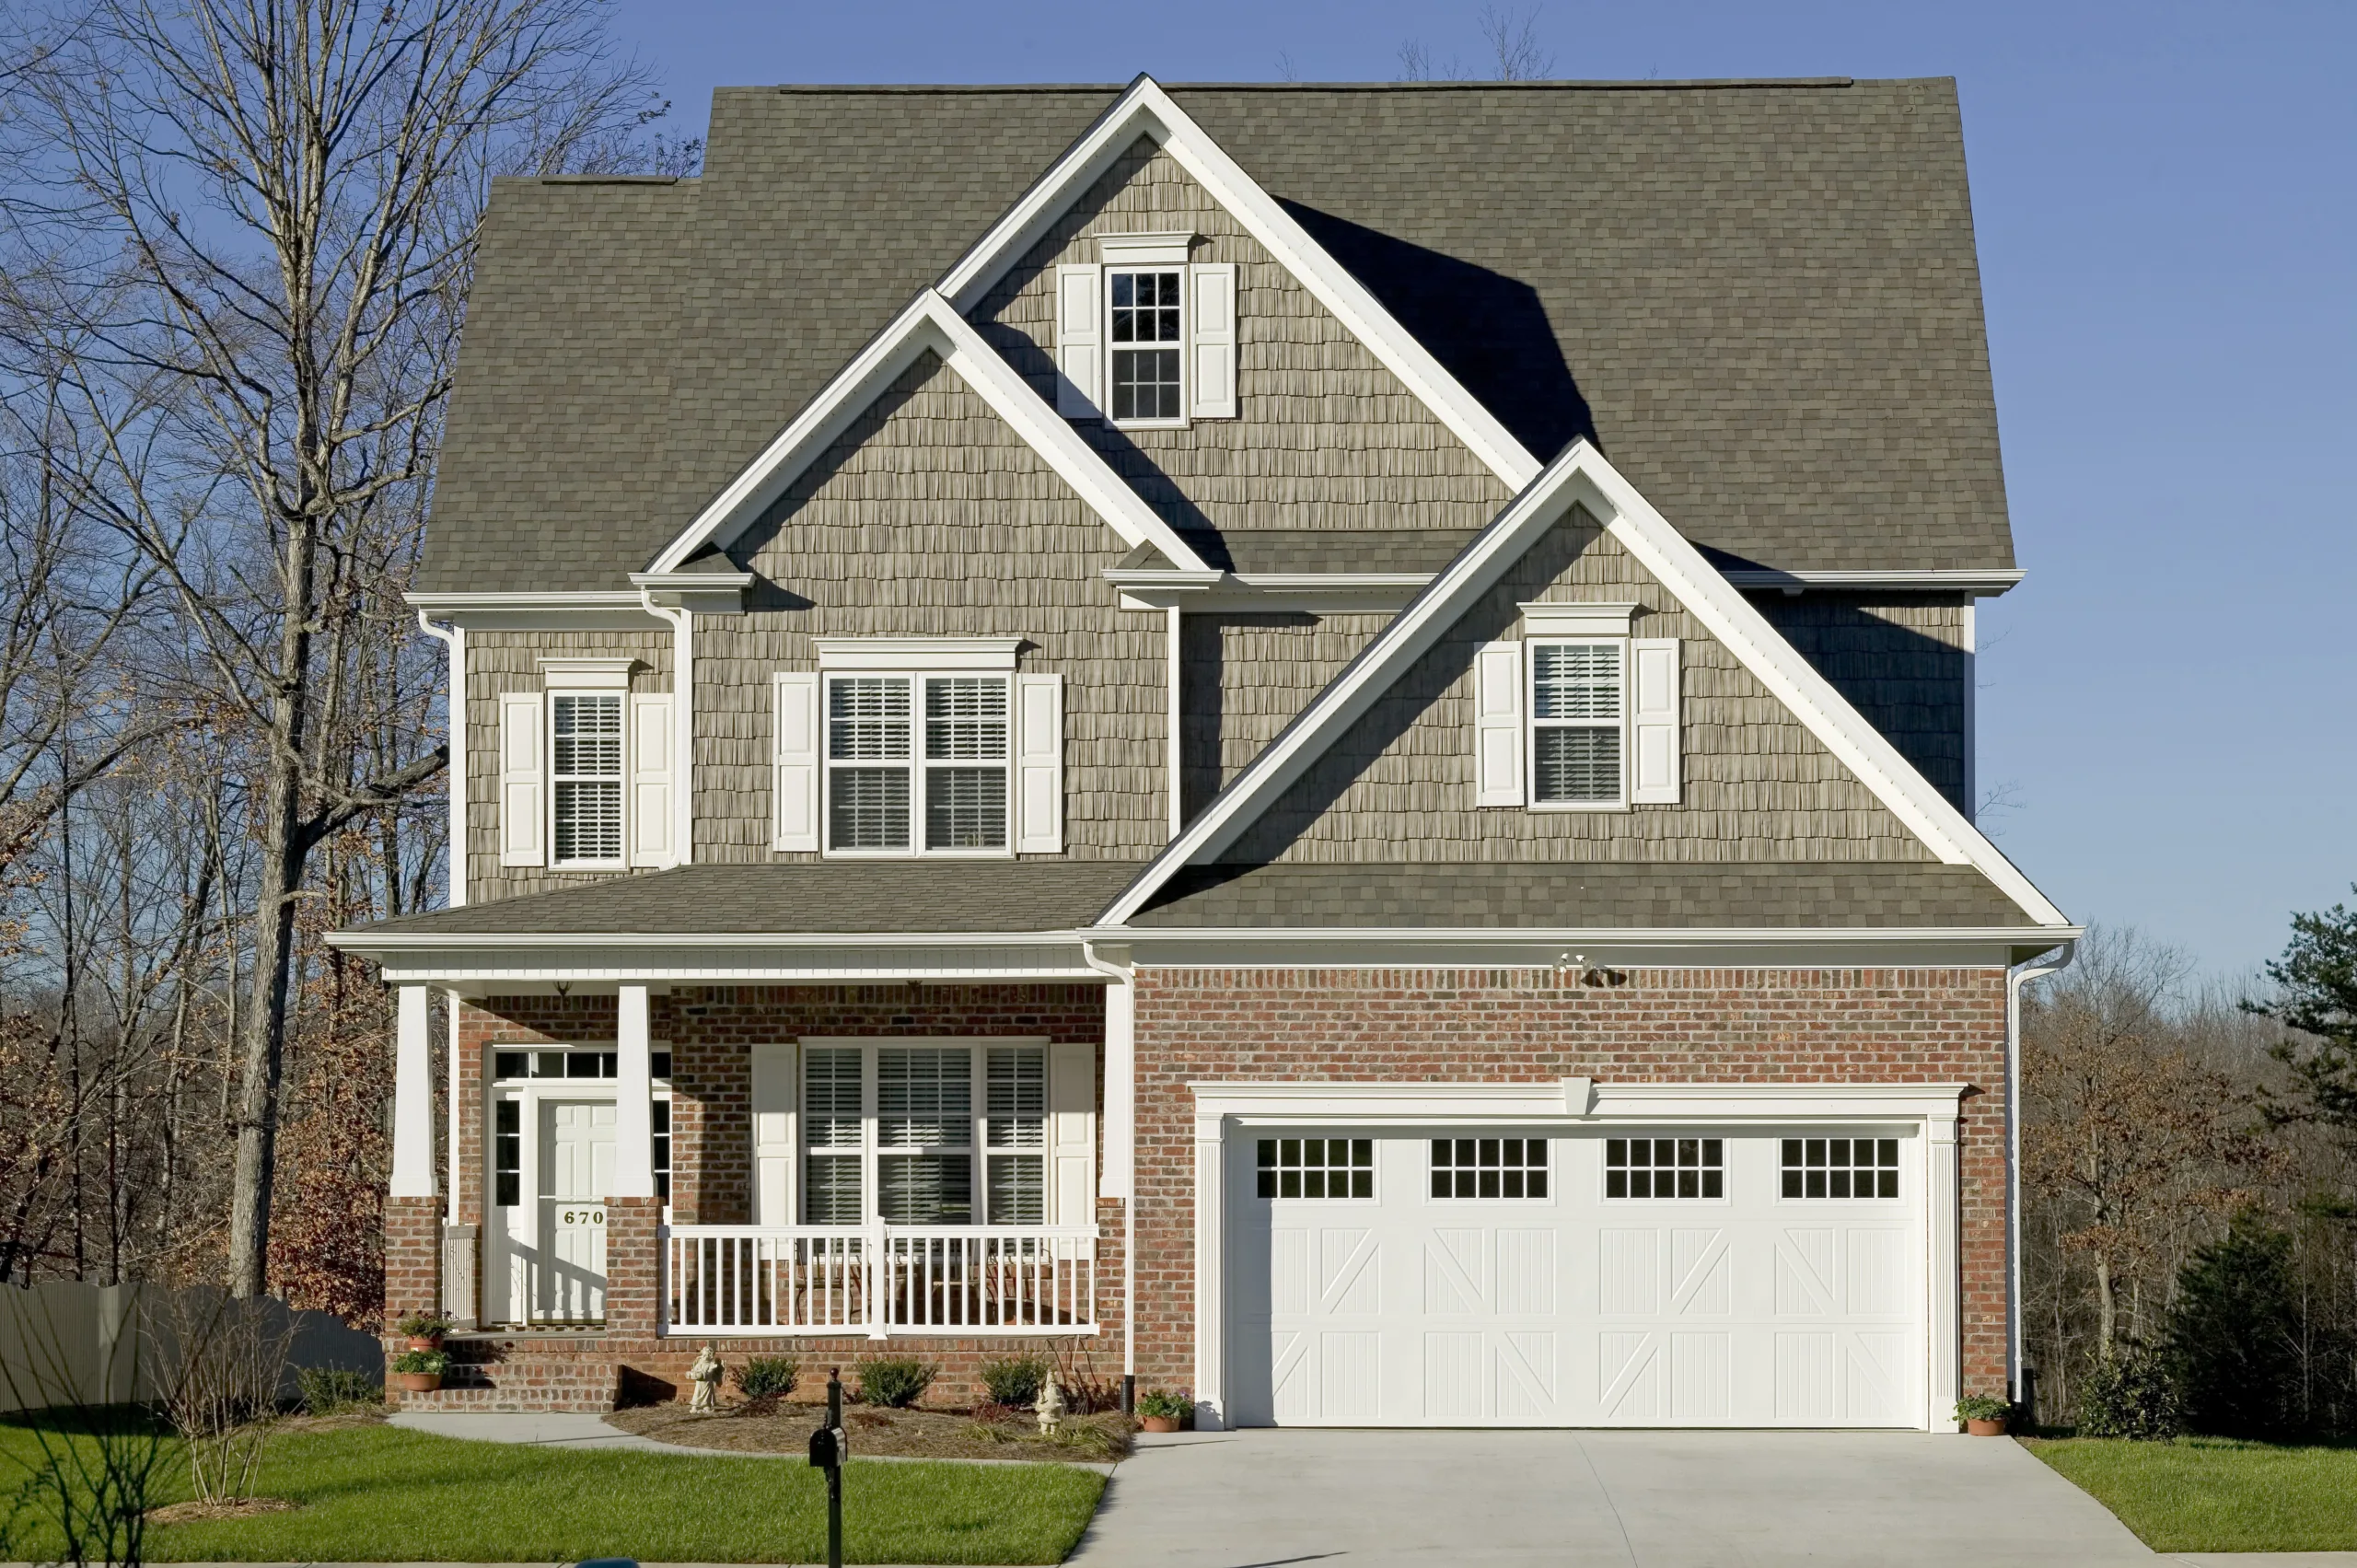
{"type": "Point", "coordinates": [918, 1116]}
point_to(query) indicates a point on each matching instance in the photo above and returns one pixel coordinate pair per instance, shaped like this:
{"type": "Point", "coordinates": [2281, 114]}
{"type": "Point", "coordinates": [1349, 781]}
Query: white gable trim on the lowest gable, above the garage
{"type": "Point", "coordinates": [1587, 480]}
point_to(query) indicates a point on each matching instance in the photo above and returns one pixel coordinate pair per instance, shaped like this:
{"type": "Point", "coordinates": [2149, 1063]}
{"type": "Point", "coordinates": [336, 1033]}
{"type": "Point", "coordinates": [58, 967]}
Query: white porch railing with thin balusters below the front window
{"type": "Point", "coordinates": [880, 1279]}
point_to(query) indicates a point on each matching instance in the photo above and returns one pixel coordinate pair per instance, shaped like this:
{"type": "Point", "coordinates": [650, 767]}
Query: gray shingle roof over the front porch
{"type": "Point", "coordinates": [847, 897]}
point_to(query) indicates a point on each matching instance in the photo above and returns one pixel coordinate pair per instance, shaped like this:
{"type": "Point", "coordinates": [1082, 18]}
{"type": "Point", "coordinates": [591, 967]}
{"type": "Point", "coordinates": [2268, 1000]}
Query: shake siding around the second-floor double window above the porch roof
{"type": "Point", "coordinates": [930, 518]}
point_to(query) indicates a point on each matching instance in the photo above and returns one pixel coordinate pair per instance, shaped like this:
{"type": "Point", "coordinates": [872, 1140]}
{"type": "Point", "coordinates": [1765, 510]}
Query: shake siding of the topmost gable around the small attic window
{"type": "Point", "coordinates": [1328, 437]}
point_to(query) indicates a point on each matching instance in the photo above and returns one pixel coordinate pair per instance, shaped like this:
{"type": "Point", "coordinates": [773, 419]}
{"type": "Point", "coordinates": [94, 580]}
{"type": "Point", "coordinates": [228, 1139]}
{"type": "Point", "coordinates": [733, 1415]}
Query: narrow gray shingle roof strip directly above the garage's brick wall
{"type": "Point", "coordinates": [1583, 895]}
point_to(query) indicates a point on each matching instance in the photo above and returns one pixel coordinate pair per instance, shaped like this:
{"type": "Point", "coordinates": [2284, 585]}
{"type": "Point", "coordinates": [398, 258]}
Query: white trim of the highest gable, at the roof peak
{"type": "Point", "coordinates": [1147, 110]}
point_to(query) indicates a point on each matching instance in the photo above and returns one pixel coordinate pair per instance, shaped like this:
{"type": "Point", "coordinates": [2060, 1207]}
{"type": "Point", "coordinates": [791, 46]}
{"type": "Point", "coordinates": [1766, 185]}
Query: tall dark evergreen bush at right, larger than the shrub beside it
{"type": "Point", "coordinates": [2236, 1336]}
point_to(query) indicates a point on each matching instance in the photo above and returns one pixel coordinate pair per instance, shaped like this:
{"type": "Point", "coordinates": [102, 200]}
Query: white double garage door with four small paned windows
{"type": "Point", "coordinates": [1616, 1279]}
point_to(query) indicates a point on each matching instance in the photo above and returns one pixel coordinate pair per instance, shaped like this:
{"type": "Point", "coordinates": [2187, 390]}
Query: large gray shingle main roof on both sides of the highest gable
{"type": "Point", "coordinates": [1762, 301]}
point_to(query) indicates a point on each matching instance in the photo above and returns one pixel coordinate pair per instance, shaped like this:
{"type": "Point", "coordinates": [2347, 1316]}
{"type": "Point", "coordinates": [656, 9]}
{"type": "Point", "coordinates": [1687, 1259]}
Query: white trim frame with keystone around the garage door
{"type": "Point", "coordinates": [1576, 1102]}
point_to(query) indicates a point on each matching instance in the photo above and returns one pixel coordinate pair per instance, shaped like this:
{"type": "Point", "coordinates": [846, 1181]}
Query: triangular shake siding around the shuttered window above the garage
{"type": "Point", "coordinates": [1757, 786]}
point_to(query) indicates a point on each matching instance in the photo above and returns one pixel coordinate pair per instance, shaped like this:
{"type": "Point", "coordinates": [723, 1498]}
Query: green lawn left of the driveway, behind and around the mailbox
{"type": "Point", "coordinates": [378, 1494]}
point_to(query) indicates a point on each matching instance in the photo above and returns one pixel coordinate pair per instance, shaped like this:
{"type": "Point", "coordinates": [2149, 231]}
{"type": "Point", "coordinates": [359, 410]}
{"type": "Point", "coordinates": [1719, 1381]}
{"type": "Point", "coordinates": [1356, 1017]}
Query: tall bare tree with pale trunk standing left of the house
{"type": "Point", "coordinates": [277, 211]}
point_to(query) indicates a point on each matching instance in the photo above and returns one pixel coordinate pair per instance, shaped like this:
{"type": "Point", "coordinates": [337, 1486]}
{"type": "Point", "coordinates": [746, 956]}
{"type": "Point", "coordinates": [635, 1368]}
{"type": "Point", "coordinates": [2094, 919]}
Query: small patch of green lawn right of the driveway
{"type": "Point", "coordinates": [2217, 1496]}
